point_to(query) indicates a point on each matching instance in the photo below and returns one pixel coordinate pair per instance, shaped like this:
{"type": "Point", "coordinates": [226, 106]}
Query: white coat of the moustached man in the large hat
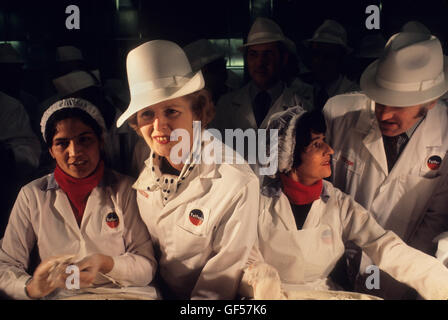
{"type": "Point", "coordinates": [403, 200]}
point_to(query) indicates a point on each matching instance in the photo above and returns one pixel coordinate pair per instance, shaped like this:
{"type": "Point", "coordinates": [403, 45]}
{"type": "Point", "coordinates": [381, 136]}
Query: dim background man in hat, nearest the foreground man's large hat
{"type": "Point", "coordinates": [328, 49]}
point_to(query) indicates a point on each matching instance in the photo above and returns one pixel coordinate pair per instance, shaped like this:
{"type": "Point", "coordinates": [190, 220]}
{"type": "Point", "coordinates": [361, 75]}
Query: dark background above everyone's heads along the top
{"type": "Point", "coordinates": [110, 28]}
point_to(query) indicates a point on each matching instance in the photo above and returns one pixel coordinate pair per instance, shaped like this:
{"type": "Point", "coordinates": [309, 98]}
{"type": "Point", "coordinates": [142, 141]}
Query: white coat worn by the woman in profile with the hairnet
{"type": "Point", "coordinates": [304, 258]}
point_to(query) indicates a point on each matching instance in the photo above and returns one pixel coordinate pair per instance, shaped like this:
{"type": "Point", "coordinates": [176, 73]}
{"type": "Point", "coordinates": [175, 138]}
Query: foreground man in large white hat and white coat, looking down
{"type": "Point", "coordinates": [391, 141]}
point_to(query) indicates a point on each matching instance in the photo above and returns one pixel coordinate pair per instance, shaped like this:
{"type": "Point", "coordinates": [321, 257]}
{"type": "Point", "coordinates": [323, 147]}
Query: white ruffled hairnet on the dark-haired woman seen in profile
{"type": "Point", "coordinates": [285, 122]}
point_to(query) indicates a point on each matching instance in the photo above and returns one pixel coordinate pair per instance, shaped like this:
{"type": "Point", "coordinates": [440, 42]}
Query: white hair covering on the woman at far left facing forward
{"type": "Point", "coordinates": [78, 103]}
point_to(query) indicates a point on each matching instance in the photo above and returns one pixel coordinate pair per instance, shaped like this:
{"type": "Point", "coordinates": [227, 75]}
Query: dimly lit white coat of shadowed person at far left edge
{"type": "Point", "coordinates": [16, 132]}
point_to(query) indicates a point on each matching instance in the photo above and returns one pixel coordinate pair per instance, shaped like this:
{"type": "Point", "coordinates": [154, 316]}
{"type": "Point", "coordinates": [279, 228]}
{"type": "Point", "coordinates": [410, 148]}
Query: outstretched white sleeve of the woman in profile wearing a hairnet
{"type": "Point", "coordinates": [408, 265]}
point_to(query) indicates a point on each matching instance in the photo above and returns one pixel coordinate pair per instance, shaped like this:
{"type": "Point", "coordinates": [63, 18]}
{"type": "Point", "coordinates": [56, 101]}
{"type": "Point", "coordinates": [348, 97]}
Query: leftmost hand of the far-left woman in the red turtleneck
{"type": "Point", "coordinates": [49, 275]}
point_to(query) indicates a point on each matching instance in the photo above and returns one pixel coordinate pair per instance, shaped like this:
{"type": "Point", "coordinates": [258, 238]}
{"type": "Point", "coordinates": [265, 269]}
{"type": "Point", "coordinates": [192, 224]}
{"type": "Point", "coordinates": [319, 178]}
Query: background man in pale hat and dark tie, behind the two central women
{"type": "Point", "coordinates": [266, 51]}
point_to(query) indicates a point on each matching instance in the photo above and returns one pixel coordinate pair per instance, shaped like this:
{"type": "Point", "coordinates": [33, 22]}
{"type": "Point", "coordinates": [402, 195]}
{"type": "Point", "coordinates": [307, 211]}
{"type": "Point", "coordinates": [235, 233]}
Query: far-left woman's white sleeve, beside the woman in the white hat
{"type": "Point", "coordinates": [137, 266]}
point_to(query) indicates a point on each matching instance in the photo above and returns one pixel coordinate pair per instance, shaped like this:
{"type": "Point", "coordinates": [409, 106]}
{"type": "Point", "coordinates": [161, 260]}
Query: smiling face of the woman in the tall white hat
{"type": "Point", "coordinates": [156, 123]}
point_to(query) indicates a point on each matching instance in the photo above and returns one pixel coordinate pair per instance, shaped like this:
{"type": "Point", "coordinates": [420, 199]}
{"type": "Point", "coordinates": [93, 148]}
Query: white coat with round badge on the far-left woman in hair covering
{"type": "Point", "coordinates": [43, 215]}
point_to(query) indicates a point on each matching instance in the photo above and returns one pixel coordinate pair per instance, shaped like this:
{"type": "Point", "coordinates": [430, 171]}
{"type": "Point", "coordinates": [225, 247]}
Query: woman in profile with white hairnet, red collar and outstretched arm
{"type": "Point", "coordinates": [304, 221]}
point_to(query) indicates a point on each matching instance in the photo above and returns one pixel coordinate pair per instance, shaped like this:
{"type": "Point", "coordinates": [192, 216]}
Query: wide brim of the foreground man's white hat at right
{"type": "Point", "coordinates": [400, 98]}
